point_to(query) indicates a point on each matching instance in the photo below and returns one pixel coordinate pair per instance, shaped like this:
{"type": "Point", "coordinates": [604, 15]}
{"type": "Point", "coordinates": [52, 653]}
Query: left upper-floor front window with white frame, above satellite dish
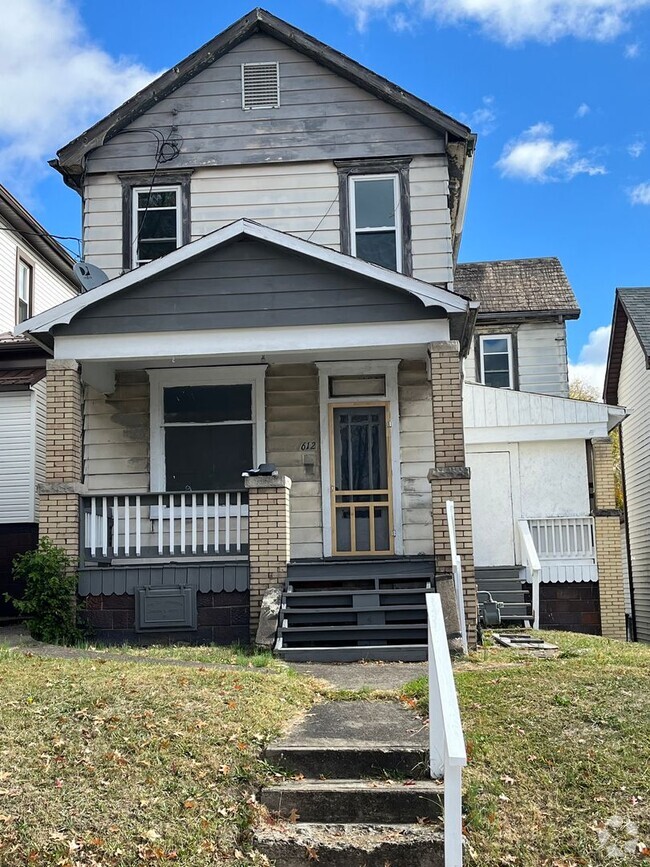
{"type": "Point", "coordinates": [156, 223]}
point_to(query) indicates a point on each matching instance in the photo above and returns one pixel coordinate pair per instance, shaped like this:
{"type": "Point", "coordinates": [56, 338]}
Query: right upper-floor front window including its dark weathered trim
{"type": "Point", "coordinates": [375, 211]}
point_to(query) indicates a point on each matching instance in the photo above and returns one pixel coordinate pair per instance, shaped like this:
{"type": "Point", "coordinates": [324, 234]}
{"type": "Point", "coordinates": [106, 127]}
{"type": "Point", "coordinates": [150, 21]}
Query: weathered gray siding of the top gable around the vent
{"type": "Point", "coordinates": [321, 116]}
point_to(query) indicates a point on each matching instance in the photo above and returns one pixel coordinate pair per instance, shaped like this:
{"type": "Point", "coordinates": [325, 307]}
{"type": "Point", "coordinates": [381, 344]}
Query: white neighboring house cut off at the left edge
{"type": "Point", "coordinates": [35, 274]}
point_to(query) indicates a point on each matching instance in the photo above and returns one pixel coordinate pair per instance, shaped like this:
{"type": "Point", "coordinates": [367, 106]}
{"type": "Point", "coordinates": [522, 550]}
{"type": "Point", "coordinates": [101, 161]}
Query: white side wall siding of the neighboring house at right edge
{"type": "Point", "coordinates": [634, 394]}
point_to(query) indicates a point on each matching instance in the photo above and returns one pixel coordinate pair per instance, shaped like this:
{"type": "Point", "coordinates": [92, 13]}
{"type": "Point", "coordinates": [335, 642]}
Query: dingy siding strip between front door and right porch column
{"type": "Point", "coordinates": [416, 456]}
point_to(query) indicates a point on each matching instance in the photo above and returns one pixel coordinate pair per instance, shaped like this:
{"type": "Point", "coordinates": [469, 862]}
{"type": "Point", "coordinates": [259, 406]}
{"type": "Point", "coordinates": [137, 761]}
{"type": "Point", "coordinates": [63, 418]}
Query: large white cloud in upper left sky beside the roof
{"type": "Point", "coordinates": [54, 83]}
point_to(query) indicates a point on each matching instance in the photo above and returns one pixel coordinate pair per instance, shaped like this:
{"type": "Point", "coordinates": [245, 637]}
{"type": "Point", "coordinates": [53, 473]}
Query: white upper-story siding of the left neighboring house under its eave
{"type": "Point", "coordinates": [49, 288]}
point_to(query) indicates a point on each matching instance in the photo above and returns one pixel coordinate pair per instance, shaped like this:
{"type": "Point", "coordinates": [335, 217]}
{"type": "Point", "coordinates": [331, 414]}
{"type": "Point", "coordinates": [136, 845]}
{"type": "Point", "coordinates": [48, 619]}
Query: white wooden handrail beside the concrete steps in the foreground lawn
{"type": "Point", "coordinates": [447, 755]}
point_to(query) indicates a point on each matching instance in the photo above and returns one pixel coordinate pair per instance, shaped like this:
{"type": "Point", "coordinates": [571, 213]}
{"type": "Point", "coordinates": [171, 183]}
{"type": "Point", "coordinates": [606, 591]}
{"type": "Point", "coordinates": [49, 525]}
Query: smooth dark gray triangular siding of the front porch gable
{"type": "Point", "coordinates": [248, 284]}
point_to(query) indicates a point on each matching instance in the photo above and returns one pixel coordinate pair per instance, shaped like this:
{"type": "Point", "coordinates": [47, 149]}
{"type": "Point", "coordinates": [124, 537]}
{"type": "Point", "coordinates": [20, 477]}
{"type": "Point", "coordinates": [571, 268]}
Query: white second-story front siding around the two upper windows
{"type": "Point", "coordinates": [298, 198]}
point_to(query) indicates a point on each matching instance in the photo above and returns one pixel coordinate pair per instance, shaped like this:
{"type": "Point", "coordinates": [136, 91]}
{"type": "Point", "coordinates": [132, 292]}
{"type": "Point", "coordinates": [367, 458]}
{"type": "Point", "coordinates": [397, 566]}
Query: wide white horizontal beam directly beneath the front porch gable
{"type": "Point", "coordinates": [252, 341]}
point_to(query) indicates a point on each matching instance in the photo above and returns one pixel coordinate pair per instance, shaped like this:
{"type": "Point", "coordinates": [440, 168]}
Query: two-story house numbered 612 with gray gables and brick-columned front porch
{"type": "Point", "coordinates": [281, 227]}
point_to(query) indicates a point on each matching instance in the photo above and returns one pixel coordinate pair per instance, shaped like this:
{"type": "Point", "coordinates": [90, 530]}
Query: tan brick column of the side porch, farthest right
{"type": "Point", "coordinates": [608, 541]}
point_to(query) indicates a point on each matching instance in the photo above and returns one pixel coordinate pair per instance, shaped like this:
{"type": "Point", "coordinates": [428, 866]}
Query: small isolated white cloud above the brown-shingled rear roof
{"type": "Point", "coordinates": [536, 156]}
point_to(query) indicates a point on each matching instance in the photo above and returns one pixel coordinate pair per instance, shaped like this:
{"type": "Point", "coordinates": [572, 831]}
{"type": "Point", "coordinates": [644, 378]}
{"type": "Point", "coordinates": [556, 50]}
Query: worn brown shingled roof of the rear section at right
{"type": "Point", "coordinates": [524, 286]}
